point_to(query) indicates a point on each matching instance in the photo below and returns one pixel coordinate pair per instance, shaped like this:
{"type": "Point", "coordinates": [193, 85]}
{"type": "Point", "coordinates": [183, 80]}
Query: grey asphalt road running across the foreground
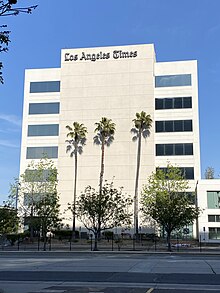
{"type": "Point", "coordinates": [108, 272]}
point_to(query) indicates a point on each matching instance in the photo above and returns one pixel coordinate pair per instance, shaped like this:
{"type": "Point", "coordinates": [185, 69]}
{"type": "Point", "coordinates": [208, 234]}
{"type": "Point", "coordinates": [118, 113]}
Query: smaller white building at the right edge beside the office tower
{"type": "Point", "coordinates": [208, 198]}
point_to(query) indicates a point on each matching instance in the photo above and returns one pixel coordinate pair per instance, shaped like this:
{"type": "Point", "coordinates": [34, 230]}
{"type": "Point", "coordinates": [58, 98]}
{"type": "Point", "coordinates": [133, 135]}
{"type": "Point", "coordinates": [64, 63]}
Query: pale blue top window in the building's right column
{"type": "Point", "coordinates": [173, 80]}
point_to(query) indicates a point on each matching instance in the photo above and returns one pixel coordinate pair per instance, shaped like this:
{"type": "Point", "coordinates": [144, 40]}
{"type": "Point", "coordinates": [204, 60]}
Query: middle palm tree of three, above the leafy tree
{"type": "Point", "coordinates": [105, 130]}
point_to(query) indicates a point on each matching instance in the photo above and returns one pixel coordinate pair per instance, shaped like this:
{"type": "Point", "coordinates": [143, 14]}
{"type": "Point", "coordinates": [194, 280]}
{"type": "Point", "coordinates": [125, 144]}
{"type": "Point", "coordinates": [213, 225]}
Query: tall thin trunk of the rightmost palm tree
{"type": "Point", "coordinates": [136, 184]}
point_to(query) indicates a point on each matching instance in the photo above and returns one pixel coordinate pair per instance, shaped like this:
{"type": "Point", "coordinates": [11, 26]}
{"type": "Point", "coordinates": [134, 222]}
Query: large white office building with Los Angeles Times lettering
{"type": "Point", "coordinates": [113, 82]}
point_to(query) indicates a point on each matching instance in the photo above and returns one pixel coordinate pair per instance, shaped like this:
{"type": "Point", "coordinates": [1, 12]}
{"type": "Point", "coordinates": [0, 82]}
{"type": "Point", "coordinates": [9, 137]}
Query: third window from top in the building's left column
{"type": "Point", "coordinates": [43, 130]}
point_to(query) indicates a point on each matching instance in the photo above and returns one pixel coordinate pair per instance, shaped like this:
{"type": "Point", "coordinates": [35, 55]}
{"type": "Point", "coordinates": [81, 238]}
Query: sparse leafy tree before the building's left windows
{"type": "Point", "coordinates": [38, 198]}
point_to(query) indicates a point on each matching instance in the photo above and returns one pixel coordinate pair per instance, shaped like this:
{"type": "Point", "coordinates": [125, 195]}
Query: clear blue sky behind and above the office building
{"type": "Point", "coordinates": [180, 30]}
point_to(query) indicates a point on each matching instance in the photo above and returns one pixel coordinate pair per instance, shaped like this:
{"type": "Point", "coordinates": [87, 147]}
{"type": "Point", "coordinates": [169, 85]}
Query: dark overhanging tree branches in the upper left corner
{"type": "Point", "coordinates": [9, 8]}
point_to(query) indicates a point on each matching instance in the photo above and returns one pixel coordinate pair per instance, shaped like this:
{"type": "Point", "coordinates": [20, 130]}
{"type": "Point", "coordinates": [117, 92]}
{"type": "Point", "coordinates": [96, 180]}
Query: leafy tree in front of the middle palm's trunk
{"type": "Point", "coordinates": [104, 210]}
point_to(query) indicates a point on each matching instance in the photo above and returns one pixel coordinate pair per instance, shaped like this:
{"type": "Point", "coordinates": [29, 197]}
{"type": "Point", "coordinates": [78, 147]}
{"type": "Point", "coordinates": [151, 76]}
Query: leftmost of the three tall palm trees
{"type": "Point", "coordinates": [77, 133]}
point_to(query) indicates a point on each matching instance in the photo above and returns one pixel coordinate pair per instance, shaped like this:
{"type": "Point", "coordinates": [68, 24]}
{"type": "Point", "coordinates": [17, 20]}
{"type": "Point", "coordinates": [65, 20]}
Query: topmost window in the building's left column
{"type": "Point", "coordinates": [44, 86]}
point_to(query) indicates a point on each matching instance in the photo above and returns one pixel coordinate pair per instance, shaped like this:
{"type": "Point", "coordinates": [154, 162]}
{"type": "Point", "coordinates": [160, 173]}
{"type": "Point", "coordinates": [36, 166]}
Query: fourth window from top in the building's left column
{"type": "Point", "coordinates": [40, 152]}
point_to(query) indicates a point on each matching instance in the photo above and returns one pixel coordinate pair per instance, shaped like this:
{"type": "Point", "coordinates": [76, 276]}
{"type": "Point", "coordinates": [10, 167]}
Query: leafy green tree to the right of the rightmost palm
{"type": "Point", "coordinates": [164, 199]}
